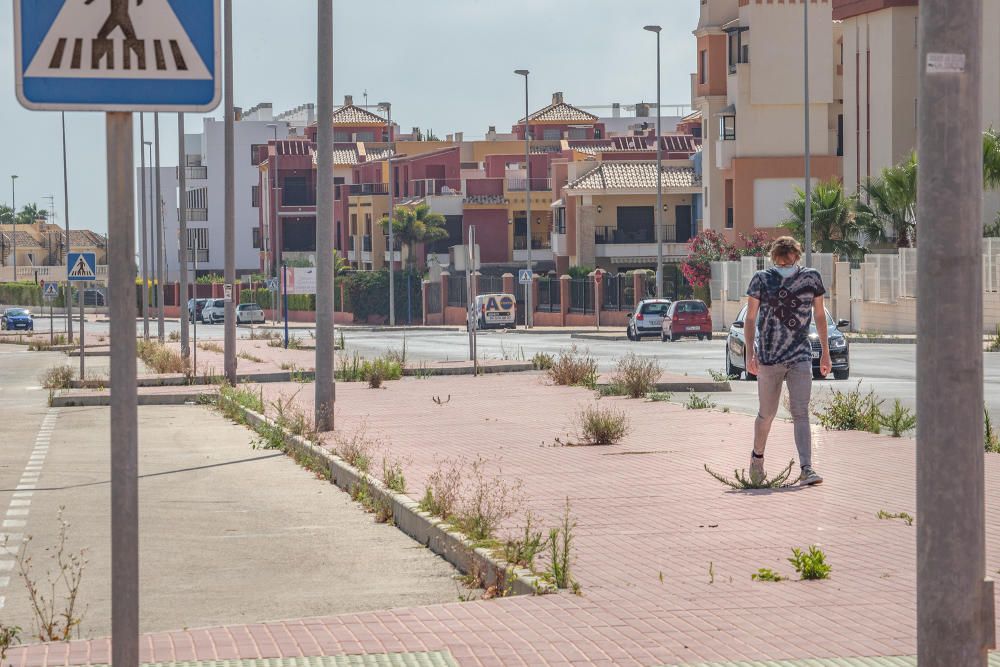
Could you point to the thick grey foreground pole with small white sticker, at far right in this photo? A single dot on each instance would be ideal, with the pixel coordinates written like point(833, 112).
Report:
point(955, 603)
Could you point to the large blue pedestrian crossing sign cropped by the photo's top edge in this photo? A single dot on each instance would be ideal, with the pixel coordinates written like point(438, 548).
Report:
point(118, 55)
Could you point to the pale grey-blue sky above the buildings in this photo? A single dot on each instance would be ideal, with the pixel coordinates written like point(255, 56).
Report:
point(444, 64)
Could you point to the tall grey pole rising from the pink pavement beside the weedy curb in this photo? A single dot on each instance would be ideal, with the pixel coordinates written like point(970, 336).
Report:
point(325, 389)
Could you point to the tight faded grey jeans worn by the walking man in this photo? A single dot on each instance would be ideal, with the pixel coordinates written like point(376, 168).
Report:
point(798, 377)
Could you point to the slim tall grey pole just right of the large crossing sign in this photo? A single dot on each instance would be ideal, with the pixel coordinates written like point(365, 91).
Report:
point(229, 347)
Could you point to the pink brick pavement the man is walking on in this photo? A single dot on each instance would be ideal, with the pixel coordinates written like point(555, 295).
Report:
point(644, 507)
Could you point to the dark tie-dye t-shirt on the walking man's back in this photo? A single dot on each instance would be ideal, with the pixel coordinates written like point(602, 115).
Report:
point(785, 314)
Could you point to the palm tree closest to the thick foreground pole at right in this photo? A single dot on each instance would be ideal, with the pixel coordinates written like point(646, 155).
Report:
point(889, 204)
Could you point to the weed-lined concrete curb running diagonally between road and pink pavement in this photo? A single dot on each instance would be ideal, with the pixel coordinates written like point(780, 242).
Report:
point(407, 516)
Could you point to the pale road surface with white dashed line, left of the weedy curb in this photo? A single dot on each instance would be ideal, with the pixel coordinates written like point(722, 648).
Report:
point(228, 534)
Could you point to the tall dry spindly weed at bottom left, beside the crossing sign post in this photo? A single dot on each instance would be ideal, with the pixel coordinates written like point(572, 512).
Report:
point(54, 601)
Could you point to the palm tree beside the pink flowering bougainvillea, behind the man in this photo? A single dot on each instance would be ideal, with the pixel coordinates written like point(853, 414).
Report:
point(834, 227)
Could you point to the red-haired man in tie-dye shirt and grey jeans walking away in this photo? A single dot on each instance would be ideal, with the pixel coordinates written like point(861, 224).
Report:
point(782, 303)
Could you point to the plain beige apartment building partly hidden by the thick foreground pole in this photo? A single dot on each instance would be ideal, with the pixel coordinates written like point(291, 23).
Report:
point(880, 54)
